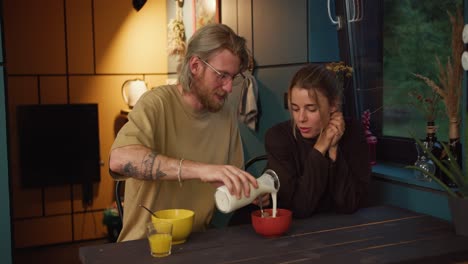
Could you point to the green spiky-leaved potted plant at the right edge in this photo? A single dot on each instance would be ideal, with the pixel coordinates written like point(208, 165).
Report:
point(457, 197)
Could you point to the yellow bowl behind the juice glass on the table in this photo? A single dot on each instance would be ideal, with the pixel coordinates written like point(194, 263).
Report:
point(181, 219)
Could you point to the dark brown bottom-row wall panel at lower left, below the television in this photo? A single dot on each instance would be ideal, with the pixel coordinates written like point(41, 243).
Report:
point(40, 231)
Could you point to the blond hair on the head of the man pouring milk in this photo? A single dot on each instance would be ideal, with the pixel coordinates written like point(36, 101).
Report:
point(206, 42)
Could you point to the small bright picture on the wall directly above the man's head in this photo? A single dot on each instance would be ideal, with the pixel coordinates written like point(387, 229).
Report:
point(205, 12)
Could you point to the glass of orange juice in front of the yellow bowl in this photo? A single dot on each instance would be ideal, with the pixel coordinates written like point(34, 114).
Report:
point(160, 238)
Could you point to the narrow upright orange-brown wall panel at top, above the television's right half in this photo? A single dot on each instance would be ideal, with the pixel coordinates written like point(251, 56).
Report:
point(80, 36)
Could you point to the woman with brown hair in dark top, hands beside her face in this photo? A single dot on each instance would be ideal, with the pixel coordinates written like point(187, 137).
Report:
point(321, 159)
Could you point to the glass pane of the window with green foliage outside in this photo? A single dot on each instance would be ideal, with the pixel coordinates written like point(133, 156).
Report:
point(415, 33)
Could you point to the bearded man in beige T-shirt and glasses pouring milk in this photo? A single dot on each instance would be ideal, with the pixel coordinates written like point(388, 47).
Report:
point(180, 141)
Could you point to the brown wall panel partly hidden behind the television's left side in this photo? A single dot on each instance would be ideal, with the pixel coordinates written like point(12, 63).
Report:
point(25, 202)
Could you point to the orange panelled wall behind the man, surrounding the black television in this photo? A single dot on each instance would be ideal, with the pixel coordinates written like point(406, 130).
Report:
point(75, 51)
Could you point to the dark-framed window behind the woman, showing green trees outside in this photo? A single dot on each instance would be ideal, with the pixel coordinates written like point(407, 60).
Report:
point(394, 39)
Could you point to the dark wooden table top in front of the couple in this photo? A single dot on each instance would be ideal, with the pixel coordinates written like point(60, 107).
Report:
point(371, 235)
